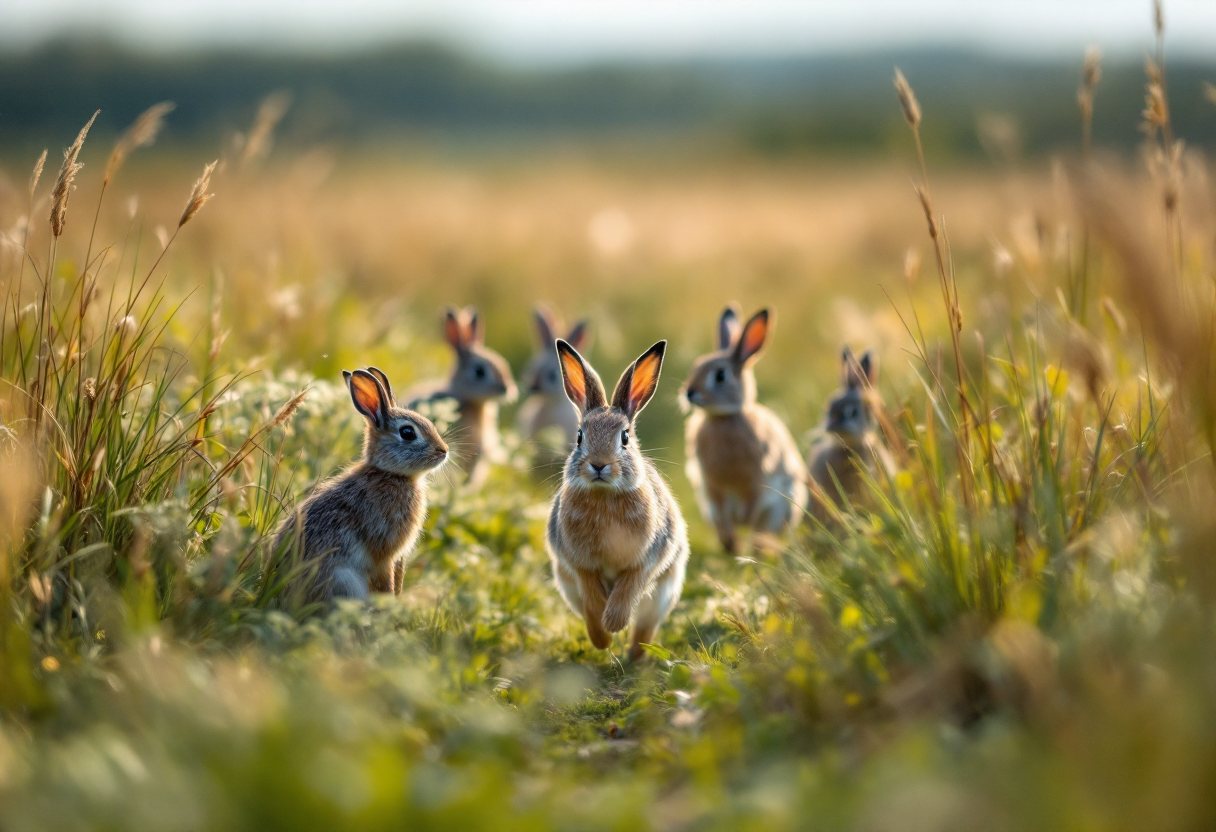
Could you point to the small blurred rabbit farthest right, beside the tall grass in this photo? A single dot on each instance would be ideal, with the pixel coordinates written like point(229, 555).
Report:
point(849, 446)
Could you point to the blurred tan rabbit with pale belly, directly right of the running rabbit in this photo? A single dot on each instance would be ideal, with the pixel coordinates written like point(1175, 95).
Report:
point(742, 460)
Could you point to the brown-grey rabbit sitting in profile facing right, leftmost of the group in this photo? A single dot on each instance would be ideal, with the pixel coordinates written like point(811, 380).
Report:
point(362, 526)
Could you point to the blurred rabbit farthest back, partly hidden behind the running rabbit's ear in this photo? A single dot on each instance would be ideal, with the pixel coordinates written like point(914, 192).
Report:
point(547, 406)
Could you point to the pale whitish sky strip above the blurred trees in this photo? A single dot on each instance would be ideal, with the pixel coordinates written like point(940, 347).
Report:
point(576, 31)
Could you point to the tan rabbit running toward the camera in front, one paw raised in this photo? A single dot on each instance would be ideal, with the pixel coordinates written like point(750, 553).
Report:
point(616, 535)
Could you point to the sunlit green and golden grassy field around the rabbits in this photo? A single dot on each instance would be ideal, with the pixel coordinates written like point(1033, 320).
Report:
point(1014, 632)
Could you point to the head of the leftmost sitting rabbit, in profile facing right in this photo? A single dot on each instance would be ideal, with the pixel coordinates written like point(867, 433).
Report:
point(397, 441)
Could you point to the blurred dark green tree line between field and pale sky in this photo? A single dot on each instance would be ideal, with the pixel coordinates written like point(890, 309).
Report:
point(838, 104)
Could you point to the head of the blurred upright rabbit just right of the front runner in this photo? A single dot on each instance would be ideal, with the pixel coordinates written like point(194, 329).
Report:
point(723, 383)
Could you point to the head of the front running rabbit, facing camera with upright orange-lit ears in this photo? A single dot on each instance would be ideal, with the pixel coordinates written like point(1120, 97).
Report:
point(606, 454)
